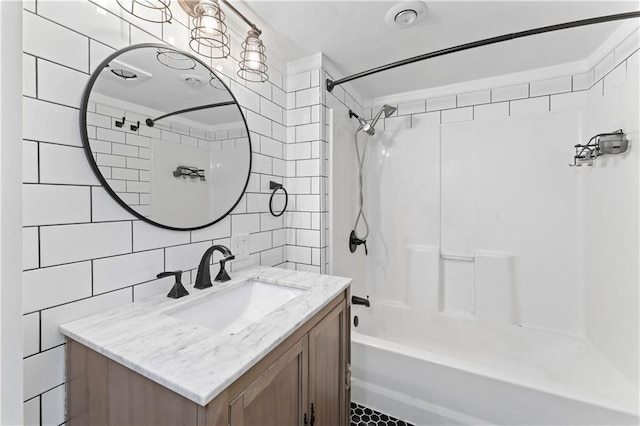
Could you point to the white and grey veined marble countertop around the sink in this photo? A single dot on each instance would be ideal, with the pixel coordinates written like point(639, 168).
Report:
point(193, 361)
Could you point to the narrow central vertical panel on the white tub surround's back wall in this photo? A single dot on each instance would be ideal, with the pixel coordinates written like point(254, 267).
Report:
point(458, 176)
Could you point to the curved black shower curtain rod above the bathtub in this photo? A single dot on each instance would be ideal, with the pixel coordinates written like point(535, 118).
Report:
point(331, 83)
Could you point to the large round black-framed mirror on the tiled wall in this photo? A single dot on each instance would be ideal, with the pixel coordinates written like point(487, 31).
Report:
point(166, 137)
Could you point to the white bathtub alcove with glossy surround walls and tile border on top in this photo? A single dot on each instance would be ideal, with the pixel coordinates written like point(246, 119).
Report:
point(493, 301)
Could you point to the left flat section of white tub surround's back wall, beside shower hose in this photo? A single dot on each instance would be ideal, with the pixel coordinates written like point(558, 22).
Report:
point(401, 175)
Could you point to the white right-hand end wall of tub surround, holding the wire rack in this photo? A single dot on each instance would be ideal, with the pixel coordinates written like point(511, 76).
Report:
point(611, 205)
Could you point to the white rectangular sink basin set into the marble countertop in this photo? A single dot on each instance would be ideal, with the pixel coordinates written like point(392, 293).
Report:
point(231, 311)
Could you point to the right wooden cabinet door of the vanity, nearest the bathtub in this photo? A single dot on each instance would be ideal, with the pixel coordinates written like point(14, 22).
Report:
point(327, 364)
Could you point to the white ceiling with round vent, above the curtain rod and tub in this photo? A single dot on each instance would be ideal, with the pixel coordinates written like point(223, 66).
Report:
point(354, 37)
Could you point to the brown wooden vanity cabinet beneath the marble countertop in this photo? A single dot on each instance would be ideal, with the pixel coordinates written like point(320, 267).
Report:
point(303, 381)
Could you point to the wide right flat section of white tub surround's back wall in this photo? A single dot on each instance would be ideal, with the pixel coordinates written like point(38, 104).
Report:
point(527, 207)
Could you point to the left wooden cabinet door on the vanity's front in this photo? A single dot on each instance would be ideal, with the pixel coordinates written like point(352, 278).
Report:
point(278, 396)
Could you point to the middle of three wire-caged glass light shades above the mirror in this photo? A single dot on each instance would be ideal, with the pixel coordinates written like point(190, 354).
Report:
point(208, 31)
